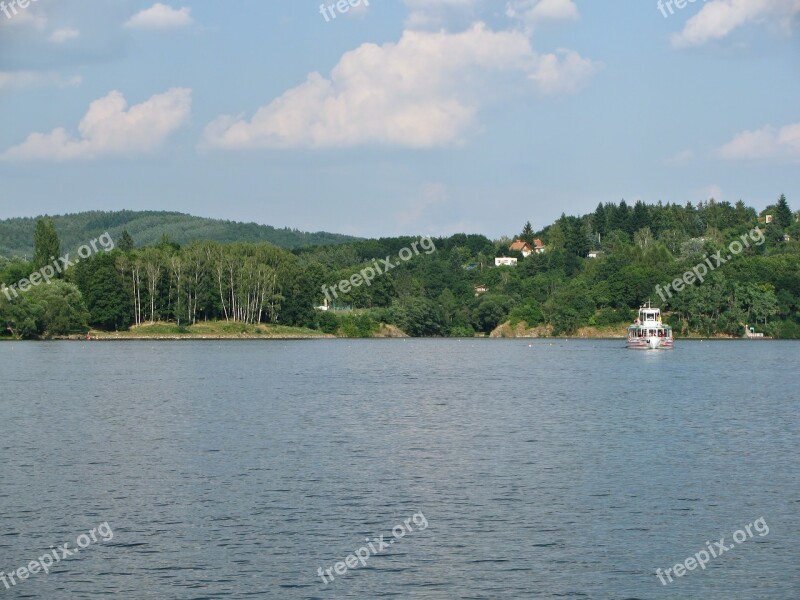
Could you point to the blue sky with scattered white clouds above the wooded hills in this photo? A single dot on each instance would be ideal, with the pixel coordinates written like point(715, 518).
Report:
point(396, 117)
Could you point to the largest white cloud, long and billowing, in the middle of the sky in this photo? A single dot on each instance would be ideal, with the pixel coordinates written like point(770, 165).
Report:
point(423, 91)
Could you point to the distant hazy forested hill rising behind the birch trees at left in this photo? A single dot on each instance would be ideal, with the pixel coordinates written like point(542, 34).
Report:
point(149, 227)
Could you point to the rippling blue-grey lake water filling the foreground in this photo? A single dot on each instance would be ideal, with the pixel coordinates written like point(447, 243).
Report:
point(543, 469)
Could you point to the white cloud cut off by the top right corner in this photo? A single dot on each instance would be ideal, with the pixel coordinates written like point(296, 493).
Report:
point(719, 18)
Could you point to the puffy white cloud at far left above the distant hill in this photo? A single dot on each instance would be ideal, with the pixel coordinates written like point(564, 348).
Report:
point(109, 129)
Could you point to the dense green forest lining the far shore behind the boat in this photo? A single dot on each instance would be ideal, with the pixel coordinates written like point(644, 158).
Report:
point(595, 271)
